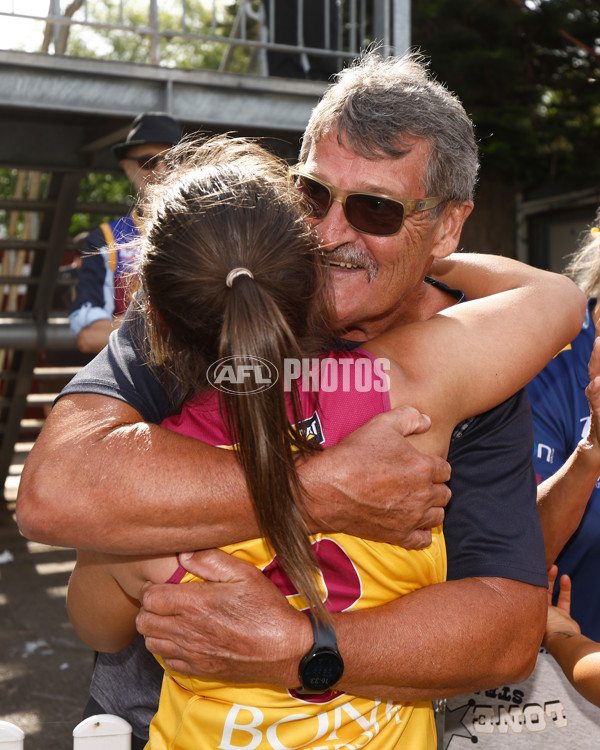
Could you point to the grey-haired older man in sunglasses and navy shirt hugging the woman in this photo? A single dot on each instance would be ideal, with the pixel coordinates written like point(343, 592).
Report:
point(384, 140)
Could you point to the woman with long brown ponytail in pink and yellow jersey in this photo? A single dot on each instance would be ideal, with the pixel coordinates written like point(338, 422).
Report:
point(233, 297)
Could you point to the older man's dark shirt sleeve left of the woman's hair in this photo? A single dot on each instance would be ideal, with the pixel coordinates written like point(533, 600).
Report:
point(120, 371)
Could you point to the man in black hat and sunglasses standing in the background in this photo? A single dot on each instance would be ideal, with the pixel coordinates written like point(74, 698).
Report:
point(101, 293)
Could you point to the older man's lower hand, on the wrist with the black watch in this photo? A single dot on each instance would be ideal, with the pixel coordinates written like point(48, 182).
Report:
point(228, 627)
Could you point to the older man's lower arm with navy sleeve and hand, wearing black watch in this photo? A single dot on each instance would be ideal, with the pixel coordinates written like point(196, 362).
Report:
point(480, 630)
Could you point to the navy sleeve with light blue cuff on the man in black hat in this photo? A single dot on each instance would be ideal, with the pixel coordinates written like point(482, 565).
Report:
point(94, 294)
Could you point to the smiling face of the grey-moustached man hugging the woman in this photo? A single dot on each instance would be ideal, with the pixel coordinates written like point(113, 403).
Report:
point(370, 295)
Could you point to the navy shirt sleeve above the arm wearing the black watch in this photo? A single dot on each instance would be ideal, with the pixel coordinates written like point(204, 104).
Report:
point(492, 527)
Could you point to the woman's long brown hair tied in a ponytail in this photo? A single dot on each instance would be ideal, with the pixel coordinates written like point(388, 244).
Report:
point(229, 204)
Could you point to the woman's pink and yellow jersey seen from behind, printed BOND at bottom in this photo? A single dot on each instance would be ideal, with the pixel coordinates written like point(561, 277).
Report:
point(350, 388)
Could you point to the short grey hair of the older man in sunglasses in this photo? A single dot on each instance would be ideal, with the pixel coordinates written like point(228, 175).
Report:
point(376, 101)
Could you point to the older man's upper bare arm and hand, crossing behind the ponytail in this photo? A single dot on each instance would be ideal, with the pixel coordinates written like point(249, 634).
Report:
point(147, 490)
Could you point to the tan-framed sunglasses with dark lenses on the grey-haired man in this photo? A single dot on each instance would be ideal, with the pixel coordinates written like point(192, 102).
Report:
point(370, 213)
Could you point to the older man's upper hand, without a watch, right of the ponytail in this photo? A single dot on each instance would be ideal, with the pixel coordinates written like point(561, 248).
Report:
point(381, 487)
